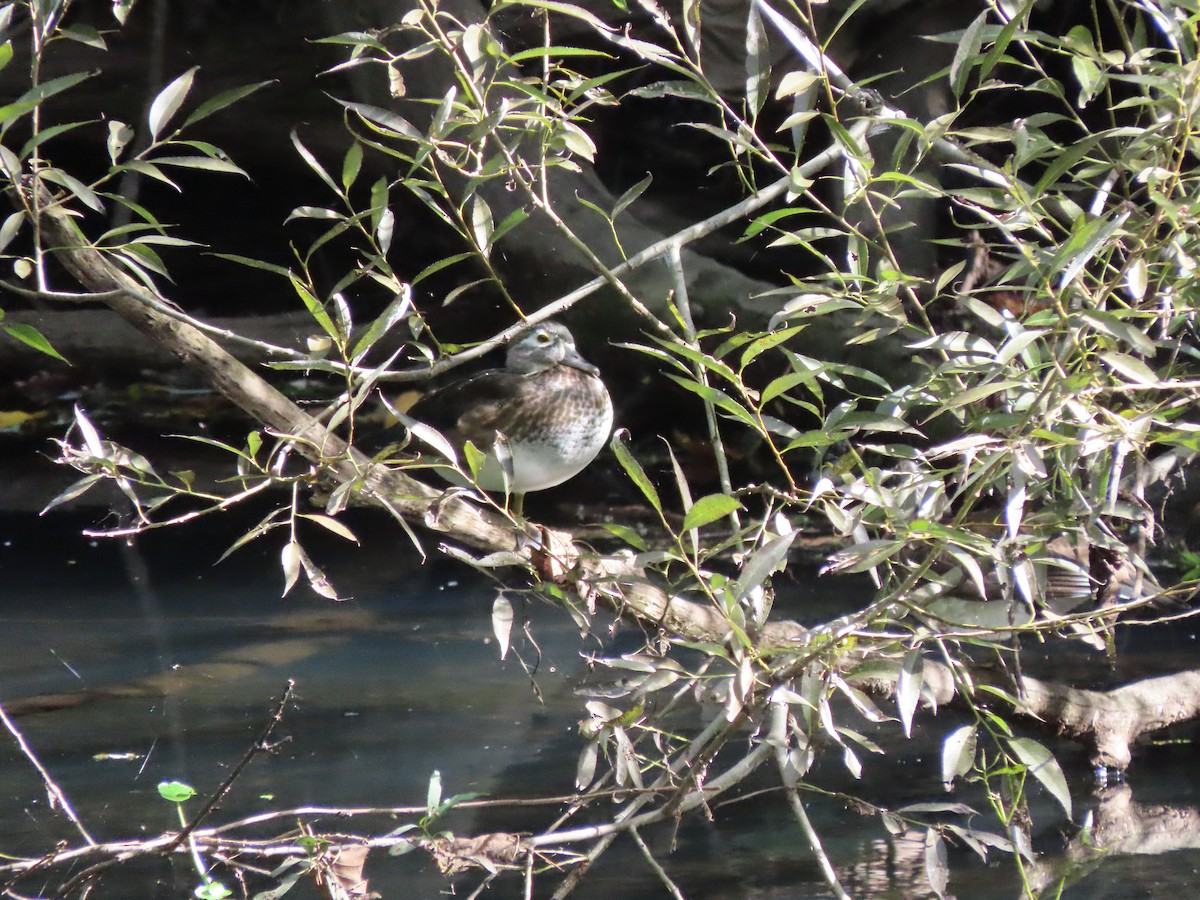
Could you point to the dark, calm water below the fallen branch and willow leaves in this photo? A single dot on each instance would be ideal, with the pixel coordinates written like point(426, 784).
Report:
point(152, 651)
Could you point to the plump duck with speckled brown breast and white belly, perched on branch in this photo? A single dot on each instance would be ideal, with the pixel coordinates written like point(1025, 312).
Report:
point(538, 422)
